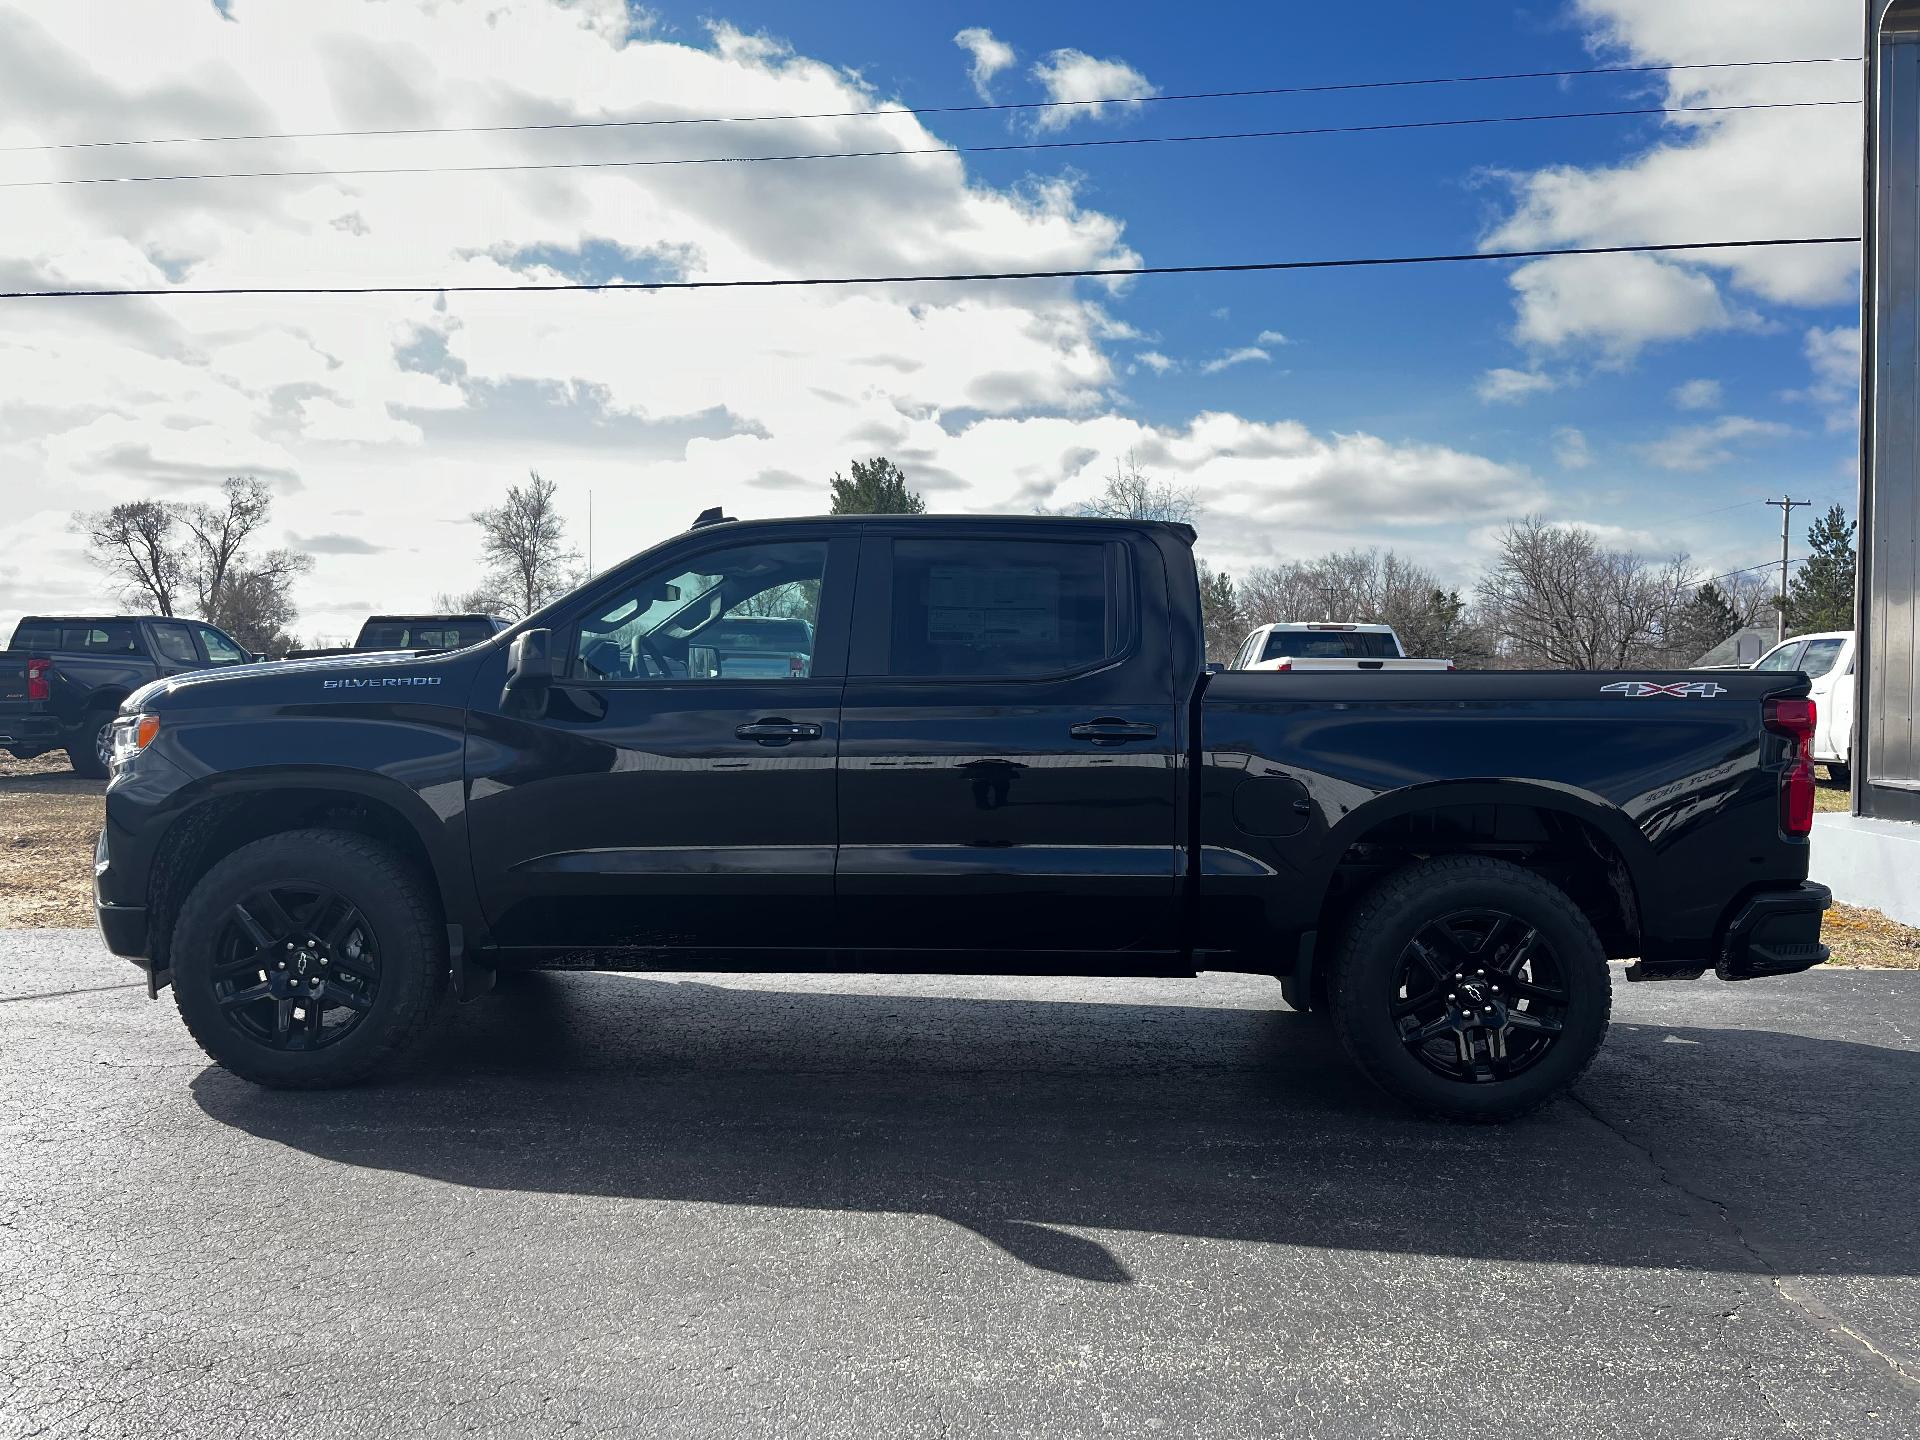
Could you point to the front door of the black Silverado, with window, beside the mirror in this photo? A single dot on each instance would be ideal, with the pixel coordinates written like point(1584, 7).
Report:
point(673, 796)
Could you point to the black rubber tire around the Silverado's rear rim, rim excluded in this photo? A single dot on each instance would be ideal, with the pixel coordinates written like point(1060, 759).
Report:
point(1381, 928)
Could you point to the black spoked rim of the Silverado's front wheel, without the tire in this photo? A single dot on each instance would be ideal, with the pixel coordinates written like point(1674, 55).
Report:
point(297, 967)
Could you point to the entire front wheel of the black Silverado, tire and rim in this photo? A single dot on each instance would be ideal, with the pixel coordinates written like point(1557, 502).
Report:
point(310, 959)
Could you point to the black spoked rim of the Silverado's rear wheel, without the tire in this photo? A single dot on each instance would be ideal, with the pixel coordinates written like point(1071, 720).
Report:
point(1479, 997)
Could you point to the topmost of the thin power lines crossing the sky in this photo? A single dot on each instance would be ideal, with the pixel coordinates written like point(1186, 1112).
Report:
point(934, 110)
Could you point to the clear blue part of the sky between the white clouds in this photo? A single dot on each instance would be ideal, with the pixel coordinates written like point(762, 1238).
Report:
point(1376, 350)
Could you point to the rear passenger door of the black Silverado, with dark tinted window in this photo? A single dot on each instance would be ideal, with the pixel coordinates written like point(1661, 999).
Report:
point(1009, 752)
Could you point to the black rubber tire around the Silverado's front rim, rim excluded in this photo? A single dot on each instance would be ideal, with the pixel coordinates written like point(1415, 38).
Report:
point(396, 901)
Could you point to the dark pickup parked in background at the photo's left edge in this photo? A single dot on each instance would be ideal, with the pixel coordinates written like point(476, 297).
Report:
point(62, 679)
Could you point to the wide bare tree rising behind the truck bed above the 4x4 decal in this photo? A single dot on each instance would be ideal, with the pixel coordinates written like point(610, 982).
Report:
point(1556, 598)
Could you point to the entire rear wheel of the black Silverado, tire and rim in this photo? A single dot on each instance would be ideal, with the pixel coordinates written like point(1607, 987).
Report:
point(1472, 990)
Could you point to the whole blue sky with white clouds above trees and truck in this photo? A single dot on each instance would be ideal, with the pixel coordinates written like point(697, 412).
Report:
point(1656, 400)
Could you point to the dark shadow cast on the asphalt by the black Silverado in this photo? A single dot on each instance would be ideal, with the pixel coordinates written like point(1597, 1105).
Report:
point(1032, 1122)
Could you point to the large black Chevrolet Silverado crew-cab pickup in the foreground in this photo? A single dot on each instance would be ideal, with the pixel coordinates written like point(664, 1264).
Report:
point(997, 754)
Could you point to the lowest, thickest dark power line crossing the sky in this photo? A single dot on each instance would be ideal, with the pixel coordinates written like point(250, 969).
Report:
point(798, 283)
